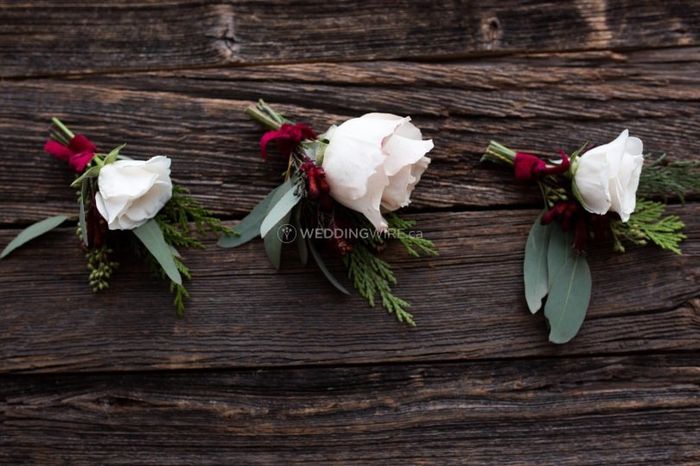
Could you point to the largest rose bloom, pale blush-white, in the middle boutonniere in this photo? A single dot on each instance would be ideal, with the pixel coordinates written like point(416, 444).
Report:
point(372, 164)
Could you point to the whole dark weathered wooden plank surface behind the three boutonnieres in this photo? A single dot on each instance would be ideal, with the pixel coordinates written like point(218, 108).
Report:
point(274, 367)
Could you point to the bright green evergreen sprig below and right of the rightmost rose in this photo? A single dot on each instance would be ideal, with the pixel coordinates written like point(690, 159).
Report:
point(647, 225)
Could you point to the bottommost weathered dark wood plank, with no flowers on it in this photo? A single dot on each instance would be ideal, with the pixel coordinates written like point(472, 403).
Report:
point(630, 410)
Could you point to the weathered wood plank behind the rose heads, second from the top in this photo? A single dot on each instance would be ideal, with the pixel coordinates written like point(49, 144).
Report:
point(196, 117)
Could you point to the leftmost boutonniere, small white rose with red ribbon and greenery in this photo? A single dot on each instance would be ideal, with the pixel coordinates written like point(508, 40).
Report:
point(126, 204)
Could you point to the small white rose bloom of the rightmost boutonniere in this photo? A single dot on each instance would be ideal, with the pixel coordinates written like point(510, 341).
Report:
point(606, 177)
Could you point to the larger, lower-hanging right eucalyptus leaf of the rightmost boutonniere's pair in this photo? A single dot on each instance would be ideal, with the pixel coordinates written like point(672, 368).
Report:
point(569, 288)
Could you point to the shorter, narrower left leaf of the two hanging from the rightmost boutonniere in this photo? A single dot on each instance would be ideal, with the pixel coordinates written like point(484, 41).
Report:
point(535, 265)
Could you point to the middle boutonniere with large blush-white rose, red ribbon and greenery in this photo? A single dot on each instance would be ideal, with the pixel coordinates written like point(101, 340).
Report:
point(339, 196)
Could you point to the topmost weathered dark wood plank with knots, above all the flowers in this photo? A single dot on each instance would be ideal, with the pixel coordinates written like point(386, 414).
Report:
point(48, 37)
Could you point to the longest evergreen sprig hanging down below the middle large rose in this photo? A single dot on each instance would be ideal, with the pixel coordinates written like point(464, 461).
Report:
point(371, 276)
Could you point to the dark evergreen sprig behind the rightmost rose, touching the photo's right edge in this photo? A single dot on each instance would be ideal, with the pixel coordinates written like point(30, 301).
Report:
point(667, 179)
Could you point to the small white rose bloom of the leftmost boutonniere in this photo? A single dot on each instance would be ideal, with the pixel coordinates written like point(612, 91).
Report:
point(131, 192)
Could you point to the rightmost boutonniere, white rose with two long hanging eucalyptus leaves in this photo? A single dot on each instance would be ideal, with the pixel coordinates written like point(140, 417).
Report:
point(591, 195)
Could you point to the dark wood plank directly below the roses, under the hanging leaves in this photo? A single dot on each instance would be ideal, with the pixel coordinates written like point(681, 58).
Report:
point(468, 303)
